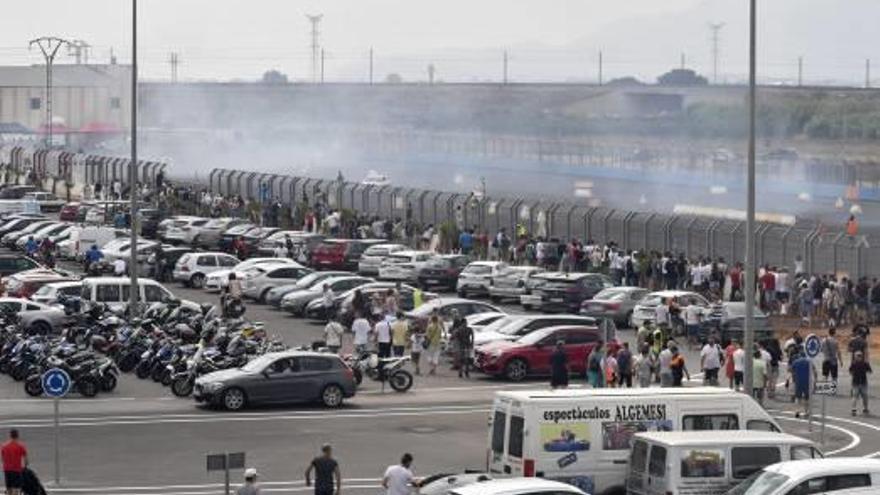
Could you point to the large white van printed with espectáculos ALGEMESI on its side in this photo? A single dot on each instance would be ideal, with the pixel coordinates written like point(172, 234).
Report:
point(584, 436)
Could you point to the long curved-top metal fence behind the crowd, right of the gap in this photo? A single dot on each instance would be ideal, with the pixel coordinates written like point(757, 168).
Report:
point(777, 245)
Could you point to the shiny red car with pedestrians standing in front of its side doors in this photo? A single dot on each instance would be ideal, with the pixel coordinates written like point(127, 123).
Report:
point(530, 354)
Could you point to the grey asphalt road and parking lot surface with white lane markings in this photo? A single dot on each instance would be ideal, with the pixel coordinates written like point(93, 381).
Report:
point(141, 440)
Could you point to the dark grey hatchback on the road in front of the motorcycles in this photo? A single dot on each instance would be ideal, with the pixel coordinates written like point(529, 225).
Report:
point(279, 377)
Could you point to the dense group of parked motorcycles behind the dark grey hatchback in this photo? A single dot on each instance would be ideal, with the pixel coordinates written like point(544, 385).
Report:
point(171, 343)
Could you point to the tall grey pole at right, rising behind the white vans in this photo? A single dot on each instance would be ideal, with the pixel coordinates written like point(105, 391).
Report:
point(749, 323)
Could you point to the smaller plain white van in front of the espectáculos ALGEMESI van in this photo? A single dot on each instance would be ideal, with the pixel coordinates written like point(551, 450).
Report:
point(688, 462)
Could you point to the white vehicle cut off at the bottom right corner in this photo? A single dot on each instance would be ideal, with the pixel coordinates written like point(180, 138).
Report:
point(836, 476)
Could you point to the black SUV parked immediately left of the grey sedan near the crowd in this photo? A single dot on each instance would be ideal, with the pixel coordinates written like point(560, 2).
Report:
point(564, 292)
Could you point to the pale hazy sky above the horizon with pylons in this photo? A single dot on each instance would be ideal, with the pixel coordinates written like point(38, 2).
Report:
point(556, 40)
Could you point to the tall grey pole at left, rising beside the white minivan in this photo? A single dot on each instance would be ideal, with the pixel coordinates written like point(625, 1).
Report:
point(132, 170)
